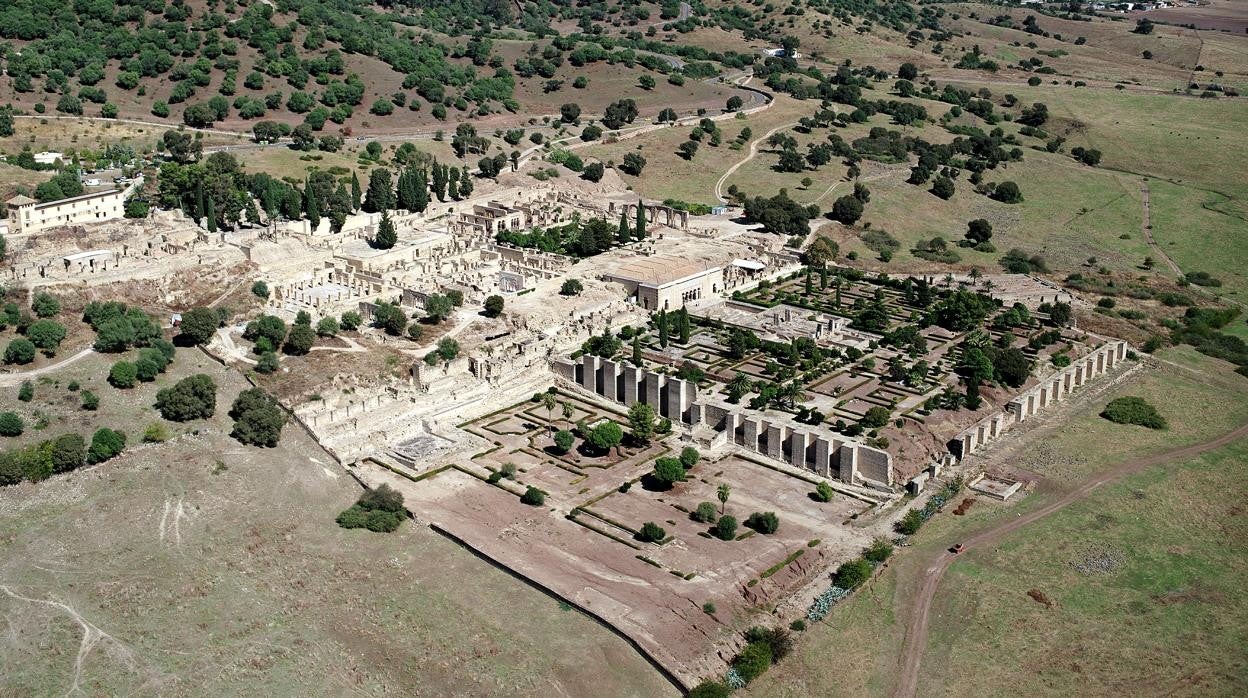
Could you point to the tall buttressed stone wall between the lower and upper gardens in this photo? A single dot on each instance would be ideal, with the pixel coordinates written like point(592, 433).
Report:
point(804, 446)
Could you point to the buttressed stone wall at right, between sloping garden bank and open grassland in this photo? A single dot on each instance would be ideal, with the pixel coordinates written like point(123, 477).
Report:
point(1050, 391)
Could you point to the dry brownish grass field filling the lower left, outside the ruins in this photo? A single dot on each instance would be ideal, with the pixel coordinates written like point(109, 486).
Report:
point(202, 566)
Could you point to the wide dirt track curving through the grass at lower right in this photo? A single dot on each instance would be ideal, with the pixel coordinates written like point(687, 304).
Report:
point(917, 626)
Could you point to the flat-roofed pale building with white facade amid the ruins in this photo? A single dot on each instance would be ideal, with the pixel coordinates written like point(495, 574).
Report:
point(667, 283)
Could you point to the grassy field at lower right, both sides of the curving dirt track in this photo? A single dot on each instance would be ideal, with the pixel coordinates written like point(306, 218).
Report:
point(982, 619)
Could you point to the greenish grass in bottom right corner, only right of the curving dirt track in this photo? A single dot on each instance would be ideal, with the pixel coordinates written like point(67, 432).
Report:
point(1168, 616)
